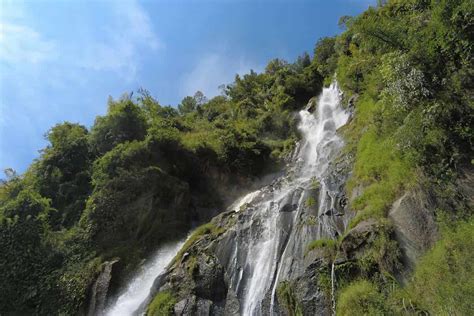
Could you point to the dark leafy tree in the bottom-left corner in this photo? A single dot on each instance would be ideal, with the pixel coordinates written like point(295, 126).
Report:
point(26, 260)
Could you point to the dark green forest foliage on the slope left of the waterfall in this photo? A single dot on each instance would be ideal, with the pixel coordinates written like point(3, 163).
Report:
point(143, 173)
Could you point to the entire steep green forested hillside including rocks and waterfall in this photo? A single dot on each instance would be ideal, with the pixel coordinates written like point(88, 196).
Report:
point(382, 225)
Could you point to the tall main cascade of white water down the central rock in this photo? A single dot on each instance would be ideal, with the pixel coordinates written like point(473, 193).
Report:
point(271, 237)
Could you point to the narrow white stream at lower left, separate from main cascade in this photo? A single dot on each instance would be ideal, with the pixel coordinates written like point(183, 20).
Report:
point(129, 301)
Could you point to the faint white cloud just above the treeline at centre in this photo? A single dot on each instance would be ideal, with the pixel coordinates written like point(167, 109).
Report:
point(213, 70)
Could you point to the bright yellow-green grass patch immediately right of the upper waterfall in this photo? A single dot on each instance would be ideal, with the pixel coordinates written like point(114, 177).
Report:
point(379, 166)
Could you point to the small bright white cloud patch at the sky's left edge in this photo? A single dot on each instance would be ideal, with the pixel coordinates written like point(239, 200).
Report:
point(21, 44)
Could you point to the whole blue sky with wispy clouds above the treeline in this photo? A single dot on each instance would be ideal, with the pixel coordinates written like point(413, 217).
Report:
point(60, 60)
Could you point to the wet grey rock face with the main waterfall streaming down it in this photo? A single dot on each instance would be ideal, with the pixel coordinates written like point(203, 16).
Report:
point(236, 267)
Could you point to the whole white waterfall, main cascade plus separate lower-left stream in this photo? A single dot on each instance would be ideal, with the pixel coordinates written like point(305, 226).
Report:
point(272, 226)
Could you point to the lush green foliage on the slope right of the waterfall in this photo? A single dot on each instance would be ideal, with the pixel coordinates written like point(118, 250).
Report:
point(409, 65)
